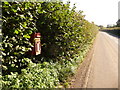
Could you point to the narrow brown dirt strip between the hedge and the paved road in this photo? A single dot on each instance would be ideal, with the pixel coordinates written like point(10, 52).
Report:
point(80, 79)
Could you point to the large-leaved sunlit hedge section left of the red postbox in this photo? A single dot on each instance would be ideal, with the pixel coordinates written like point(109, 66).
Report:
point(18, 24)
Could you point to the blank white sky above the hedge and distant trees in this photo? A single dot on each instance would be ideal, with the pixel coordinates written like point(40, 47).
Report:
point(101, 12)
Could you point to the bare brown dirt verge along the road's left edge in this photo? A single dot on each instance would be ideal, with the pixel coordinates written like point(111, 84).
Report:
point(79, 79)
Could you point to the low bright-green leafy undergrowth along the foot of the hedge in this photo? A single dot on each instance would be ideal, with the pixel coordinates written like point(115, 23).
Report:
point(45, 75)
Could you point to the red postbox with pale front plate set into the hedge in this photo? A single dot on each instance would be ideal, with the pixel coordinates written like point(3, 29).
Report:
point(35, 40)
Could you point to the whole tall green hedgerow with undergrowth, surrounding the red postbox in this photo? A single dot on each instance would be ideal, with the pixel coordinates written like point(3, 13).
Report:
point(66, 36)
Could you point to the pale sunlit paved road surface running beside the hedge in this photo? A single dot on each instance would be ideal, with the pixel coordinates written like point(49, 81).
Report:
point(104, 65)
